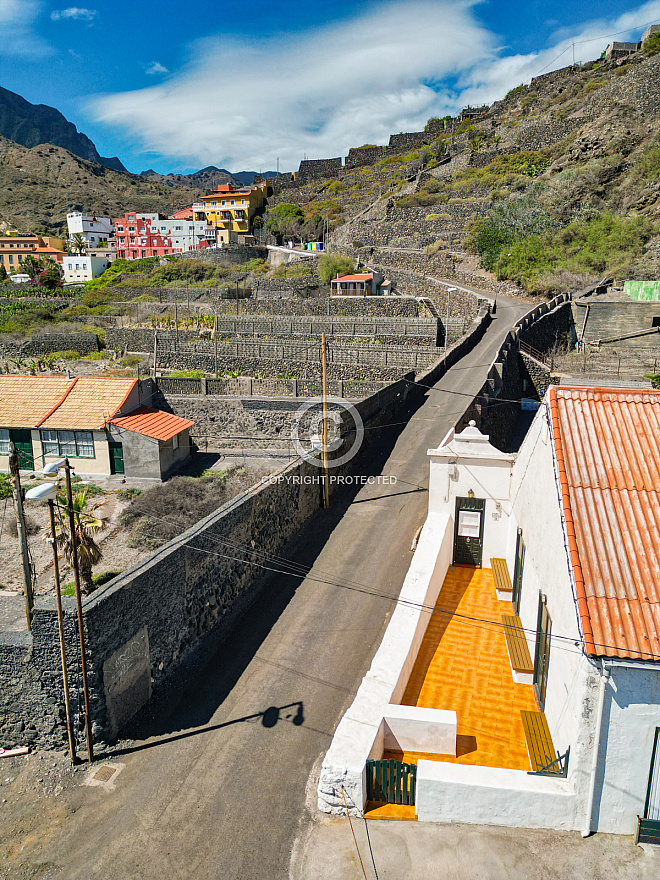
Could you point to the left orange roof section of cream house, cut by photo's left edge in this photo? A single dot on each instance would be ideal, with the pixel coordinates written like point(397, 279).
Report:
point(26, 400)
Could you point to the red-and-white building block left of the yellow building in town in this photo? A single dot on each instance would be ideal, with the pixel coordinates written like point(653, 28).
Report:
point(154, 235)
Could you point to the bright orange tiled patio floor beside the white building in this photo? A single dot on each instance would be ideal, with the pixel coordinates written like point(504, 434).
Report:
point(463, 665)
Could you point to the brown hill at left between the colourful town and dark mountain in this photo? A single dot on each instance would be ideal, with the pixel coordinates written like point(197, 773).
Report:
point(39, 186)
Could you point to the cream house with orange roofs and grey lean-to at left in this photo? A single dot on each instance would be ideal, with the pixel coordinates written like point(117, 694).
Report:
point(104, 426)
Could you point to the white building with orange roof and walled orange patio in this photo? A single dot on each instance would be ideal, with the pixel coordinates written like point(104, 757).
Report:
point(517, 681)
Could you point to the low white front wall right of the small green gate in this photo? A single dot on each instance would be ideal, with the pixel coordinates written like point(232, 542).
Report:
point(491, 796)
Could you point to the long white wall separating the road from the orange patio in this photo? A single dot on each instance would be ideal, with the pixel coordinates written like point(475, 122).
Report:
point(361, 732)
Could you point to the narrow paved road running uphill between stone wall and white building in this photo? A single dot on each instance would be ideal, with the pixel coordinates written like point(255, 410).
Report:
point(218, 788)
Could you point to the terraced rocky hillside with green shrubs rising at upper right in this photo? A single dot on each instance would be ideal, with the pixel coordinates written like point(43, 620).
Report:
point(557, 183)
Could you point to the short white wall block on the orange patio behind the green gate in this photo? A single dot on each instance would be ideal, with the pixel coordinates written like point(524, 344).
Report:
point(416, 729)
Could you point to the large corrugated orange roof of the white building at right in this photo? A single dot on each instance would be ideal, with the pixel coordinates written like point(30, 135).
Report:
point(607, 446)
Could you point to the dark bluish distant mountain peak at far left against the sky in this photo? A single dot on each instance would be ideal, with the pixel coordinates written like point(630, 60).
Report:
point(33, 124)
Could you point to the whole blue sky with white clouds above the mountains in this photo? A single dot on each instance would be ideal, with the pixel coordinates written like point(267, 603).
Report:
point(175, 86)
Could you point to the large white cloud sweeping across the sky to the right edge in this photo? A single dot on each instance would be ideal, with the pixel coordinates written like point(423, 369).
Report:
point(243, 103)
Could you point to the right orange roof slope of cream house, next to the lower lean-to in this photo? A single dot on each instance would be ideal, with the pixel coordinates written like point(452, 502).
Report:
point(90, 403)
